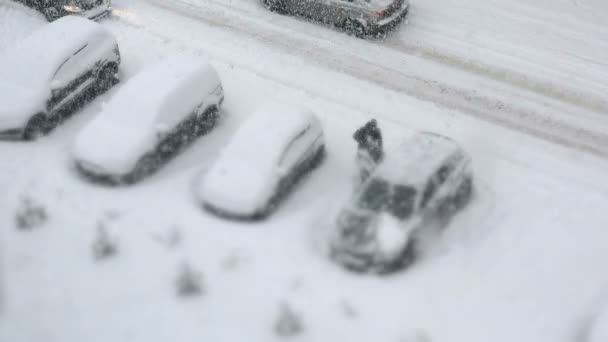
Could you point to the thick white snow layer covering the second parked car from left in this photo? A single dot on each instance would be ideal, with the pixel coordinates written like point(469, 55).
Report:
point(151, 103)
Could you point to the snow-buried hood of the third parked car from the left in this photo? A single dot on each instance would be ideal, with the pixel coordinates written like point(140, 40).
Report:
point(238, 188)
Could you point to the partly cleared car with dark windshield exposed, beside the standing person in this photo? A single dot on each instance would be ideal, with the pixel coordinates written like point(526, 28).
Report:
point(427, 177)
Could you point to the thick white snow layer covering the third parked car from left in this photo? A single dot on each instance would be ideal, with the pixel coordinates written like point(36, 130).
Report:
point(246, 174)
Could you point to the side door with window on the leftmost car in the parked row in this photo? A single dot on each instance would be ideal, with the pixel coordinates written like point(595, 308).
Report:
point(73, 76)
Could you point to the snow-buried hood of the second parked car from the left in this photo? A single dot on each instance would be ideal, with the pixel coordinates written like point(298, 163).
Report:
point(105, 147)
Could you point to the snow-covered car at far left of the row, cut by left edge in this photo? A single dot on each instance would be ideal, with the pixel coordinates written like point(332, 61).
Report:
point(52, 73)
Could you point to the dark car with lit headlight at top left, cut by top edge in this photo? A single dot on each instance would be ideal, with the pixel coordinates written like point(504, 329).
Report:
point(55, 9)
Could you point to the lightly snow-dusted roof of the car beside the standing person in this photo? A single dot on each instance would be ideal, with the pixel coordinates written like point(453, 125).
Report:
point(414, 160)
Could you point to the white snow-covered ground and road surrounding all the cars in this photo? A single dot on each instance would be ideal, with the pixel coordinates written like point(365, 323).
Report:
point(522, 263)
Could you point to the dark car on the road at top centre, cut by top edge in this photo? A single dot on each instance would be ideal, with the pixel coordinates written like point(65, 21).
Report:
point(360, 17)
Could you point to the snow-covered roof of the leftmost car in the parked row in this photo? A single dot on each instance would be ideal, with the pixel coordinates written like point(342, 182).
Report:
point(34, 60)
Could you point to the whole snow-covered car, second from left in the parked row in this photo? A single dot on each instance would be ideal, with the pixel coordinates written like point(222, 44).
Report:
point(153, 117)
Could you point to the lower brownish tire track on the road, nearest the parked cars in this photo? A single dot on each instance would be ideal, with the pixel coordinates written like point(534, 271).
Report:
point(493, 109)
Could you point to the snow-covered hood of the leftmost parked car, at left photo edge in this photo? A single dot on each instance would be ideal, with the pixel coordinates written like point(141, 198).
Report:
point(18, 104)
